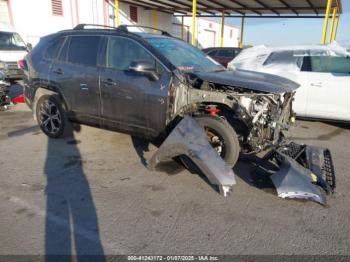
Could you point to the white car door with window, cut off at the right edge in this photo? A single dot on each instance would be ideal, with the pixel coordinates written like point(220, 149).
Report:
point(328, 87)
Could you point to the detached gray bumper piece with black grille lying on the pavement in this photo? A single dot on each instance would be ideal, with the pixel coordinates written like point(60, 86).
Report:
point(305, 172)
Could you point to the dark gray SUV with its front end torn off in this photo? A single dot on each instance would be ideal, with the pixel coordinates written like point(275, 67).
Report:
point(144, 84)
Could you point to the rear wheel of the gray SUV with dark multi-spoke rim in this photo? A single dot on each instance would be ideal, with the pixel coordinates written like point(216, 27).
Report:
point(52, 118)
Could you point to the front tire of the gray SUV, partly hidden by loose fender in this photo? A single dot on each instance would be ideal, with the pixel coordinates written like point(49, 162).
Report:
point(221, 129)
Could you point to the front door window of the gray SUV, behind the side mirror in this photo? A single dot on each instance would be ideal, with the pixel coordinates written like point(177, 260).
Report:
point(122, 51)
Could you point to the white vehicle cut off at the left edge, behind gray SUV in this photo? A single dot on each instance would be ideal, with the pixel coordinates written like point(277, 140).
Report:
point(12, 49)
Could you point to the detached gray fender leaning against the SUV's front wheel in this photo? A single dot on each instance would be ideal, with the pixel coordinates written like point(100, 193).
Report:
point(189, 139)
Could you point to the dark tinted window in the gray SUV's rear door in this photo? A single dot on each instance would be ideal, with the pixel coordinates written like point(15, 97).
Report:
point(83, 50)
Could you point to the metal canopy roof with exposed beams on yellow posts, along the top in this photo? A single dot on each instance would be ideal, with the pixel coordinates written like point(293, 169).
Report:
point(297, 8)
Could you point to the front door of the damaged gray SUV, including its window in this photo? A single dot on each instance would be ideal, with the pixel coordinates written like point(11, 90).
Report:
point(132, 102)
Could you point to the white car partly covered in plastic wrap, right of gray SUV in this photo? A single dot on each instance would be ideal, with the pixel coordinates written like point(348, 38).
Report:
point(322, 71)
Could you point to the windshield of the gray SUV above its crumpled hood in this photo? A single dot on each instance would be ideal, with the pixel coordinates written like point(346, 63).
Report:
point(184, 56)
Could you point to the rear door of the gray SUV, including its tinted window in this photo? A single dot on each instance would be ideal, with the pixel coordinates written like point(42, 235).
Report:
point(76, 74)
